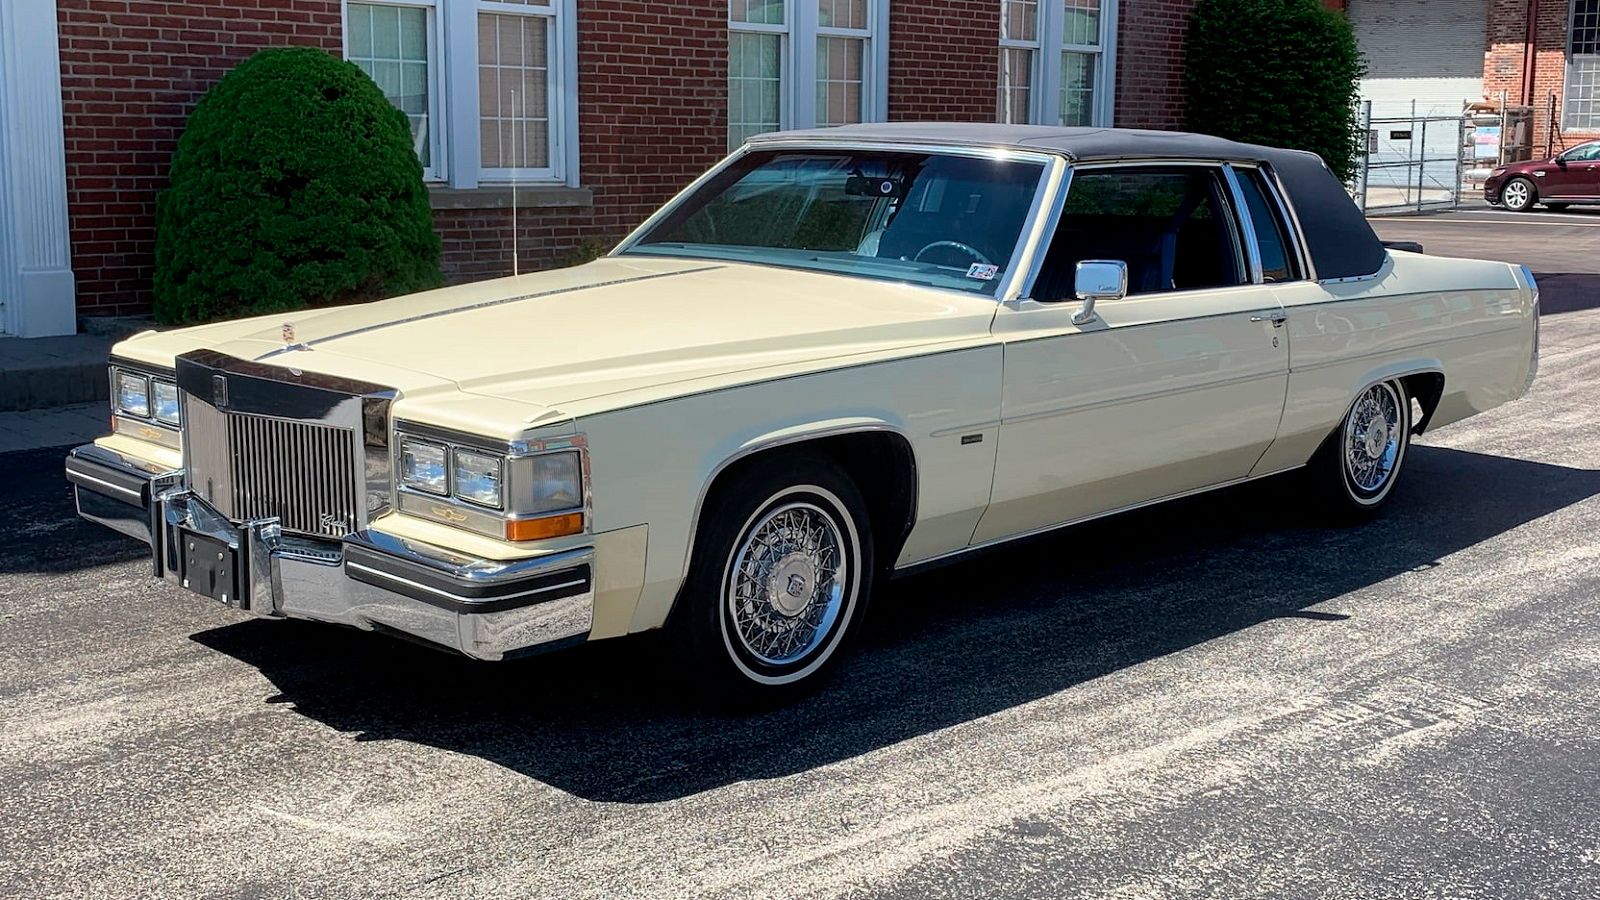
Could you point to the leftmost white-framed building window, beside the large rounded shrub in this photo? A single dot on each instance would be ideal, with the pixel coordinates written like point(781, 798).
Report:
point(510, 66)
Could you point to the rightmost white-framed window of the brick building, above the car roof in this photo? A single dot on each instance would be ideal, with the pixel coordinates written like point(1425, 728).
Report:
point(1057, 60)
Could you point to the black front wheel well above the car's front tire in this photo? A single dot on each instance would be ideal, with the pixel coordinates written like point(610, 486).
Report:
point(882, 467)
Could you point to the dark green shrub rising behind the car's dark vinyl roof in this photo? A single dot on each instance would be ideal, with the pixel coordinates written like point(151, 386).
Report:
point(1278, 73)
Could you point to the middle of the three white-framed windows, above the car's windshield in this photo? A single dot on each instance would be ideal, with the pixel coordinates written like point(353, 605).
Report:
point(804, 63)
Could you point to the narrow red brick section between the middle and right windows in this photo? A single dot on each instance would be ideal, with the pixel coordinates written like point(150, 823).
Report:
point(945, 60)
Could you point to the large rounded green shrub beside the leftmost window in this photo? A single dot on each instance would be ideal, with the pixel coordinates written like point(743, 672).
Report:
point(295, 185)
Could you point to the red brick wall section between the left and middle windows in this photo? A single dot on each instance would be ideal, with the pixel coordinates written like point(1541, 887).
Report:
point(652, 118)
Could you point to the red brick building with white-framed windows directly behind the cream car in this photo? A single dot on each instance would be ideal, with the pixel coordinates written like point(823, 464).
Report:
point(598, 110)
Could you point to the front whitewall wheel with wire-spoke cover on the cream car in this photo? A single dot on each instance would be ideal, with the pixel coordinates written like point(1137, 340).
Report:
point(780, 579)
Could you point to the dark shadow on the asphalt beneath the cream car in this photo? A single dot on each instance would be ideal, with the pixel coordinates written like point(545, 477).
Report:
point(943, 648)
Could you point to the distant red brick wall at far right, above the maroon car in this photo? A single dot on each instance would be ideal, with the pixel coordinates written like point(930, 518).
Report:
point(1506, 66)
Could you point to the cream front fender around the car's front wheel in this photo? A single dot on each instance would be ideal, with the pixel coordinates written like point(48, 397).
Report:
point(652, 464)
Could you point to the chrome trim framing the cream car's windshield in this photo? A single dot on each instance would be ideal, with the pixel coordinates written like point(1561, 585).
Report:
point(1050, 161)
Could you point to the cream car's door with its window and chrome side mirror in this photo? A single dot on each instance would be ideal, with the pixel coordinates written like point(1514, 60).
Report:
point(1174, 388)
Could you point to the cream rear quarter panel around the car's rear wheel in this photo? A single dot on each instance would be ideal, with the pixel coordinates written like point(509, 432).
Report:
point(1470, 319)
